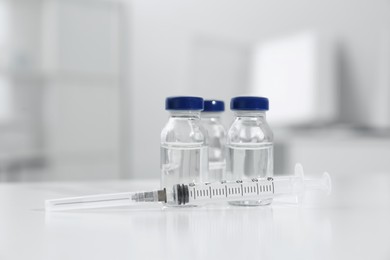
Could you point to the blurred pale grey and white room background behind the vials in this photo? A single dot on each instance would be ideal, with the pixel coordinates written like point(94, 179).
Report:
point(83, 82)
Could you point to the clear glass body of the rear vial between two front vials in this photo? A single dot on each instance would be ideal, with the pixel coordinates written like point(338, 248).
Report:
point(211, 122)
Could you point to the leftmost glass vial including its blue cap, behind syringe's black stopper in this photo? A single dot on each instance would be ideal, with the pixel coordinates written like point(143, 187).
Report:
point(184, 151)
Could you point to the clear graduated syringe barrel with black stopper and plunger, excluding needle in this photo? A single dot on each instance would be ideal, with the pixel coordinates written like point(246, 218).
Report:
point(255, 189)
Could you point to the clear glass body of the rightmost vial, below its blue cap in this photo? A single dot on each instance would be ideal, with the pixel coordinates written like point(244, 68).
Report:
point(250, 150)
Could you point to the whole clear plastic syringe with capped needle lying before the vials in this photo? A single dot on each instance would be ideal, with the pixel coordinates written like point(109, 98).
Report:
point(202, 193)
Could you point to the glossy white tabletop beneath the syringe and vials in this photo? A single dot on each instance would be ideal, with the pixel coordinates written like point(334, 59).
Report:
point(350, 224)
